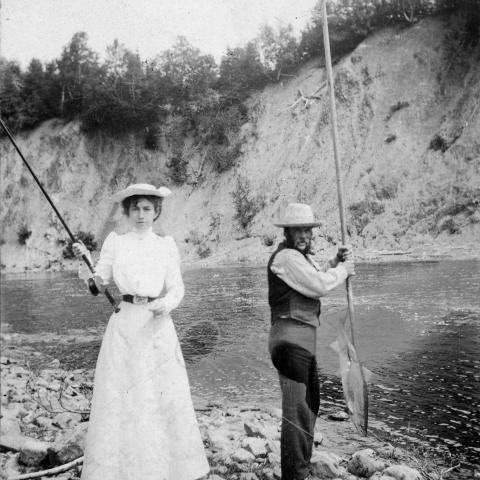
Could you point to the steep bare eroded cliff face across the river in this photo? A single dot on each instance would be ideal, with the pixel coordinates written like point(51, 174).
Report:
point(408, 106)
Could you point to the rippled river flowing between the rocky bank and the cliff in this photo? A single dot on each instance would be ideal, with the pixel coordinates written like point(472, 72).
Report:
point(417, 329)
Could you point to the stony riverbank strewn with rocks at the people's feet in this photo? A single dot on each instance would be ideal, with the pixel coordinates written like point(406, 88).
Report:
point(44, 418)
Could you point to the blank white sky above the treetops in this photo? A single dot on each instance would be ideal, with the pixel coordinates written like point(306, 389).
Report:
point(40, 28)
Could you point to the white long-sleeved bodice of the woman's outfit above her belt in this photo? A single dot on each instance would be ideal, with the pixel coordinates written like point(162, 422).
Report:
point(142, 264)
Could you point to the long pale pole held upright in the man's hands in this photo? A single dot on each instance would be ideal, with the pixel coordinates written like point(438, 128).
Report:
point(341, 207)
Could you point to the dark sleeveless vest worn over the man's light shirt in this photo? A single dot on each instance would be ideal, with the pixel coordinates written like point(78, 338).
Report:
point(285, 302)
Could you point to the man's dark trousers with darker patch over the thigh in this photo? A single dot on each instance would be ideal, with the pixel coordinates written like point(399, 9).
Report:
point(298, 373)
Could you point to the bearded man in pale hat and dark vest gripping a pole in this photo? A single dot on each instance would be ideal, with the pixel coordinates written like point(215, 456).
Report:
point(295, 285)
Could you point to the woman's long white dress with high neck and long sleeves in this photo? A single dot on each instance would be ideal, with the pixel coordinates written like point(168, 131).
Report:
point(142, 421)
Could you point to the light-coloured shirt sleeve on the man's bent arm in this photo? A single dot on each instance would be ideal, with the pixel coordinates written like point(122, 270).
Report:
point(301, 275)
